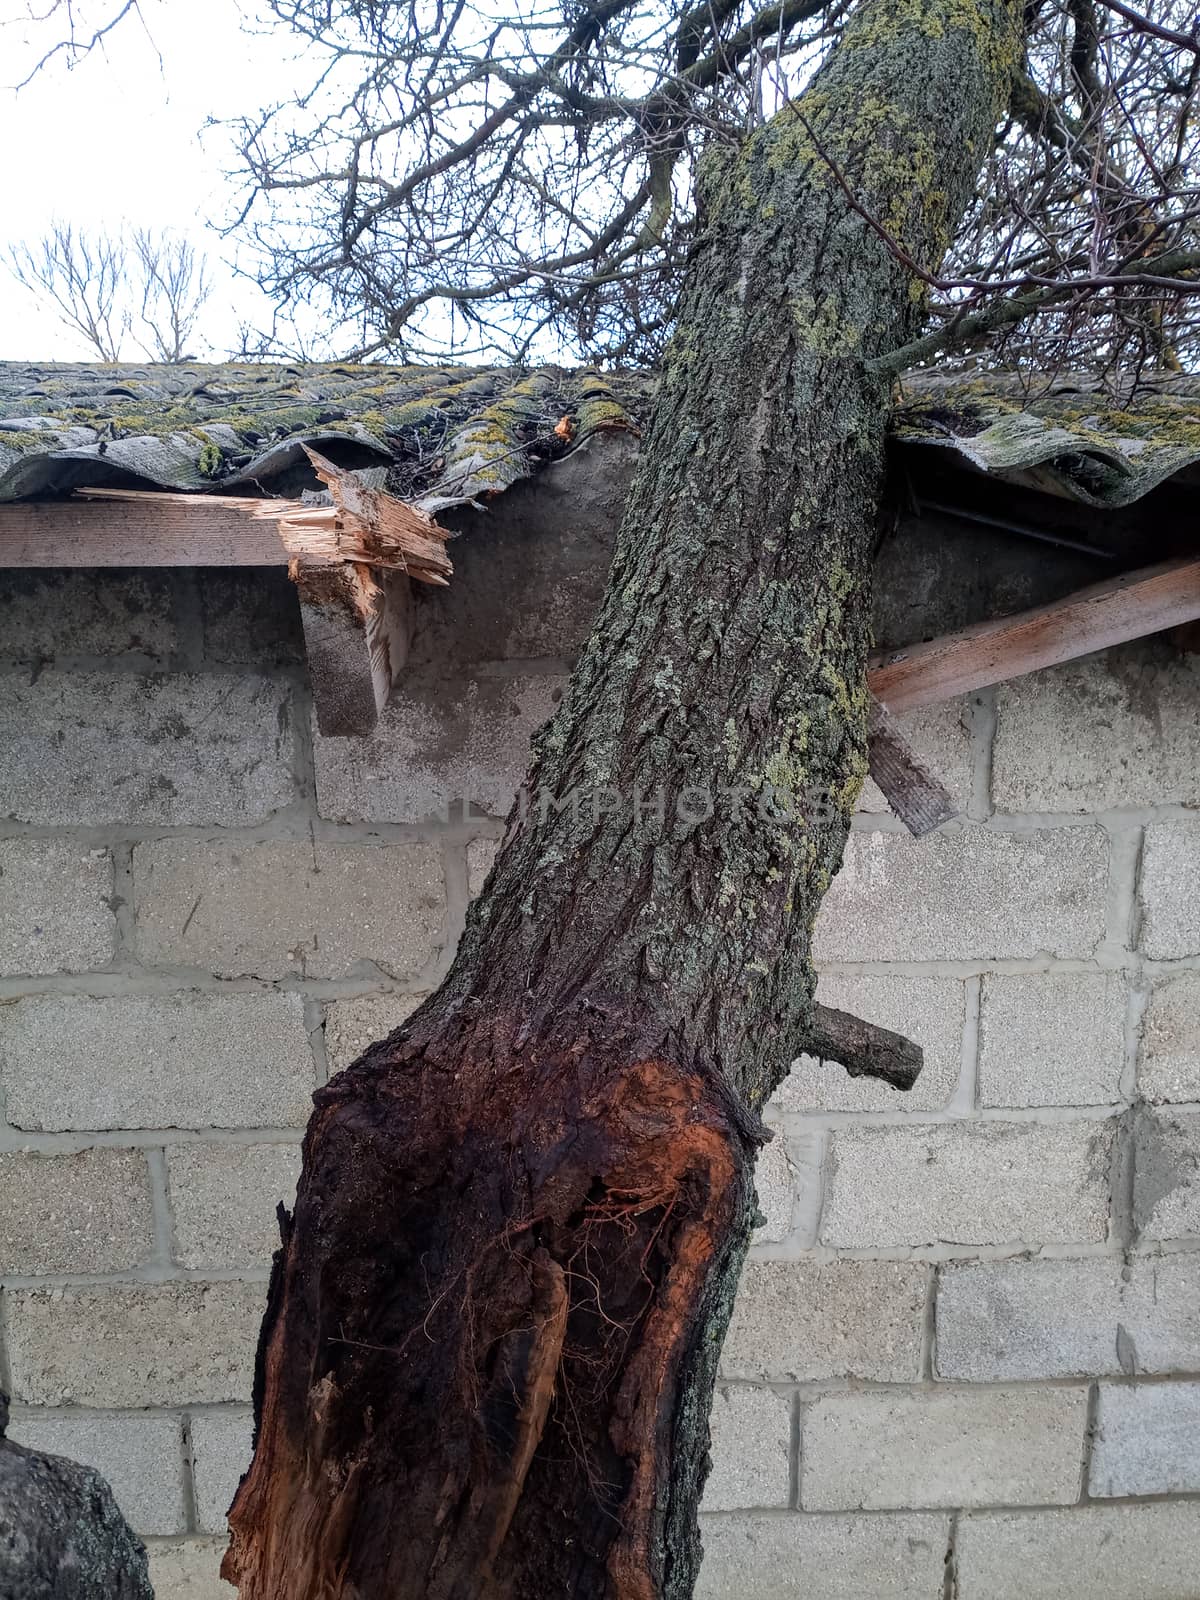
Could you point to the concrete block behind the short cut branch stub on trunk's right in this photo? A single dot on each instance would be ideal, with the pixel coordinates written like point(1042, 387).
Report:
point(927, 1010)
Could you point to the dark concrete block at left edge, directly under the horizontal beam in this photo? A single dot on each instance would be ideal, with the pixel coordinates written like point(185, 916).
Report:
point(78, 612)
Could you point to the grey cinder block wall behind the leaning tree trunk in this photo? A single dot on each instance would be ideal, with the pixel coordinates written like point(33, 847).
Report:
point(967, 1353)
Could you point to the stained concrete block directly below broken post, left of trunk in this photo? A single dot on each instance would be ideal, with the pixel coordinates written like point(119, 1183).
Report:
point(439, 743)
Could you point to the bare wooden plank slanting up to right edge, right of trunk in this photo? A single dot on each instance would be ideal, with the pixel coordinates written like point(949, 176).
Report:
point(1150, 601)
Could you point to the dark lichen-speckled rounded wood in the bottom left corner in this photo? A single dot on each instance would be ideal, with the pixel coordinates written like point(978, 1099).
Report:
point(62, 1537)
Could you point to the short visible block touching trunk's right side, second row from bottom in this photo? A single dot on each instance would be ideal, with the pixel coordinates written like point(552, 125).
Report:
point(751, 1450)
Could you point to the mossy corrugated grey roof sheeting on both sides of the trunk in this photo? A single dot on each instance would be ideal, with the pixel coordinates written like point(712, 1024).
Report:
point(454, 434)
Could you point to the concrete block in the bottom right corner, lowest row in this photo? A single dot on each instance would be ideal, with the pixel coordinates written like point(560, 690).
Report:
point(1095, 1553)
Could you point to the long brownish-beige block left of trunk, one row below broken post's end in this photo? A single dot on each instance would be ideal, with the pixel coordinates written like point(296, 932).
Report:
point(281, 910)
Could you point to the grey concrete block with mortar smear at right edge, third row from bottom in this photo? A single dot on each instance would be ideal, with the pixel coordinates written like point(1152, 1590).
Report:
point(1065, 1319)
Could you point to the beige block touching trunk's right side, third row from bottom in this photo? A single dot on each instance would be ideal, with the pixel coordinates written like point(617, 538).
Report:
point(798, 1321)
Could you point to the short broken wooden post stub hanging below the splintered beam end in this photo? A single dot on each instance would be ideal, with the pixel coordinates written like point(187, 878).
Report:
point(356, 633)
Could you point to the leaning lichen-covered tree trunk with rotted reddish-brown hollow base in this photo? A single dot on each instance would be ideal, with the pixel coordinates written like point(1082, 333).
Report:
point(495, 1322)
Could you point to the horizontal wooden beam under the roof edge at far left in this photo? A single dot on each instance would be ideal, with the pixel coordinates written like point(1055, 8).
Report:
point(143, 530)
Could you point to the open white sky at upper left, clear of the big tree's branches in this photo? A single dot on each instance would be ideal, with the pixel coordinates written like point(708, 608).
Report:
point(118, 138)
